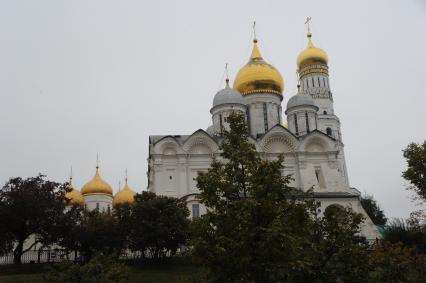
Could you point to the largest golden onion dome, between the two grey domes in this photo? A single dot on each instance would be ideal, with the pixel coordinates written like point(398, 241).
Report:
point(258, 76)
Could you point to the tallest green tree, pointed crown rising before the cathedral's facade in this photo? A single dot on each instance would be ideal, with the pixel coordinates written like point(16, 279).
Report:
point(256, 224)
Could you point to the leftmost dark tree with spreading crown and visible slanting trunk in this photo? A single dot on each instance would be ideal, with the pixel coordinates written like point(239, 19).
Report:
point(32, 207)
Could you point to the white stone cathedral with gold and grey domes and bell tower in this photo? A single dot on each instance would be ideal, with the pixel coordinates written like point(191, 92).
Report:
point(310, 140)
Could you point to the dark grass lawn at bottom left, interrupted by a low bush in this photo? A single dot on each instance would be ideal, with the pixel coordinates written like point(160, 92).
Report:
point(173, 271)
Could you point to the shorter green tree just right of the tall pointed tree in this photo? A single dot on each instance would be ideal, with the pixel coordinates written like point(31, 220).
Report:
point(334, 248)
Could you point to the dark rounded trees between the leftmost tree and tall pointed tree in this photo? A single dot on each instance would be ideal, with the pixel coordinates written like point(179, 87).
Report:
point(153, 225)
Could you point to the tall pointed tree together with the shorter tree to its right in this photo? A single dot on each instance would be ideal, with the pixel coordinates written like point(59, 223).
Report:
point(259, 229)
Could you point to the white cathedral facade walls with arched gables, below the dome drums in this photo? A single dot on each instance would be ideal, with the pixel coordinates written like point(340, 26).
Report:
point(314, 161)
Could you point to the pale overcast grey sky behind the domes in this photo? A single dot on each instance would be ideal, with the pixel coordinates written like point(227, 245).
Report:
point(81, 77)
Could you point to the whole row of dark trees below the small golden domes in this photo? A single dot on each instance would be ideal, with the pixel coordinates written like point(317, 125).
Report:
point(35, 210)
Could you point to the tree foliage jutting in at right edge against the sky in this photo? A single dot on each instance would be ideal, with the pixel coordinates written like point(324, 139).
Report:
point(415, 155)
